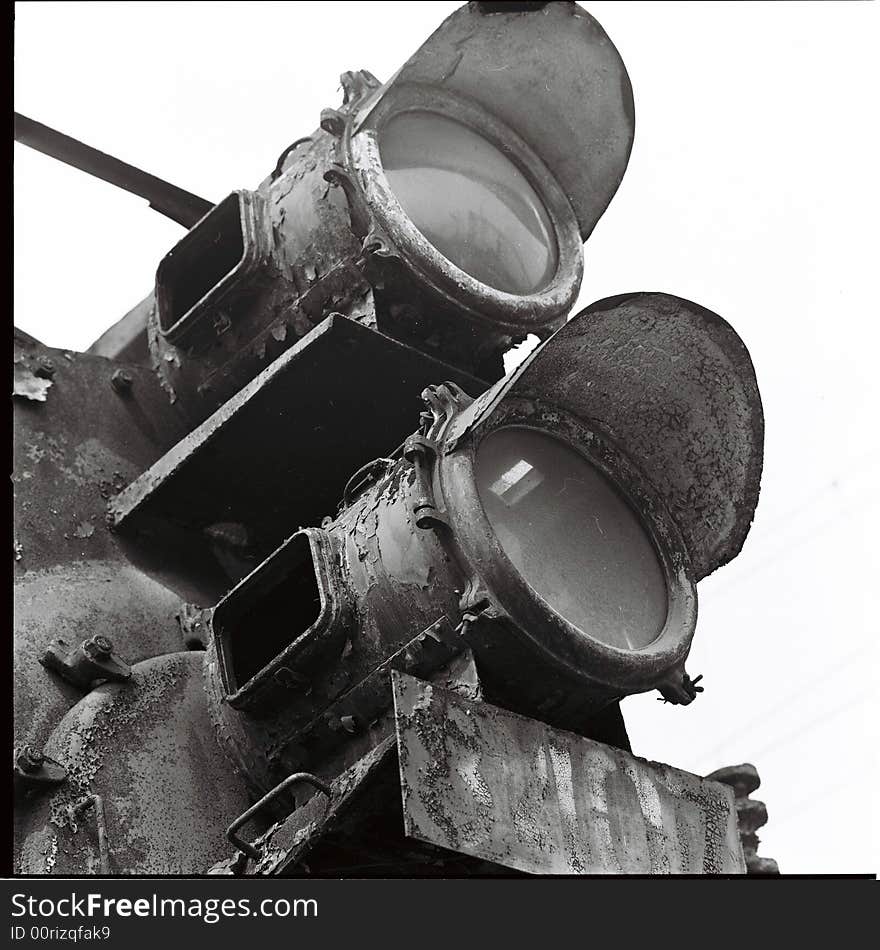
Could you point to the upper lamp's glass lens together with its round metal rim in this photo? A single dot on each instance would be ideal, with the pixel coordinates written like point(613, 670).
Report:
point(479, 221)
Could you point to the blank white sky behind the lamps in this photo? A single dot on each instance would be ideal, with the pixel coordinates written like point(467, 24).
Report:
point(751, 190)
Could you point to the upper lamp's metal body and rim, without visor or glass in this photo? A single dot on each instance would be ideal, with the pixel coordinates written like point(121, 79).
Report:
point(329, 232)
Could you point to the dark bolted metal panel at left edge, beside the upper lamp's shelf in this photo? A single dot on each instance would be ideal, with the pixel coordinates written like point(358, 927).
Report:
point(77, 447)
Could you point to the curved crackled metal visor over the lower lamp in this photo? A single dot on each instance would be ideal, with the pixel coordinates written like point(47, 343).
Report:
point(672, 384)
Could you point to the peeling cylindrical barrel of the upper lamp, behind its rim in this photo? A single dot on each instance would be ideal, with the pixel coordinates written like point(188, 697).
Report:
point(302, 267)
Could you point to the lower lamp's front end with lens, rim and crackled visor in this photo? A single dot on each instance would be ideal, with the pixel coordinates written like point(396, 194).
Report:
point(590, 490)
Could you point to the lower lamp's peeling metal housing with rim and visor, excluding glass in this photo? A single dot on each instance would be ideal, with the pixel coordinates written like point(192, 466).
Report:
point(411, 571)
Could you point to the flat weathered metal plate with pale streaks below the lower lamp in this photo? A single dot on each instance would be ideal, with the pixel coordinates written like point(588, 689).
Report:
point(489, 783)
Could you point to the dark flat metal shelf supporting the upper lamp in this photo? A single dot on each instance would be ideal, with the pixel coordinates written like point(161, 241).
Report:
point(273, 459)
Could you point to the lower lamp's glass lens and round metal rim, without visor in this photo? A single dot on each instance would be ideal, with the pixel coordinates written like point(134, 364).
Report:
point(580, 584)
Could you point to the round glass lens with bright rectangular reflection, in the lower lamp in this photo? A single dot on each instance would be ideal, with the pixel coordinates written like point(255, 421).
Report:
point(572, 537)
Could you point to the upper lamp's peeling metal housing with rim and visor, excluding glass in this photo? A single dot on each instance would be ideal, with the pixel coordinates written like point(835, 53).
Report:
point(325, 232)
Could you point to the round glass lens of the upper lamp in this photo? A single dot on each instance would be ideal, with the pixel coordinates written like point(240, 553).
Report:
point(470, 201)
